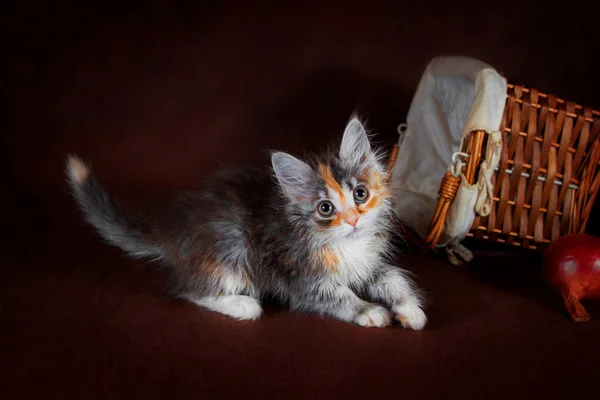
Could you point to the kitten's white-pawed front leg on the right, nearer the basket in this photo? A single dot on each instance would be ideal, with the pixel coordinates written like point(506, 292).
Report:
point(392, 287)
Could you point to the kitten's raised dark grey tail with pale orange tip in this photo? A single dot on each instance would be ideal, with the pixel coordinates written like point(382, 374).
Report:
point(113, 224)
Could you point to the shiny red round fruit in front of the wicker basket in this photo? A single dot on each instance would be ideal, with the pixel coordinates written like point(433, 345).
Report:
point(571, 266)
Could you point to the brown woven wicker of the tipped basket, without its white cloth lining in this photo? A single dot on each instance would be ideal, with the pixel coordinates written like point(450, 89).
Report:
point(548, 174)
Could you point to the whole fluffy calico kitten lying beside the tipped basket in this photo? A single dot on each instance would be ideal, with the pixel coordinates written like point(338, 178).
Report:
point(315, 235)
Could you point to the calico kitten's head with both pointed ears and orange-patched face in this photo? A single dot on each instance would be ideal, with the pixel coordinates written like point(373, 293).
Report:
point(344, 196)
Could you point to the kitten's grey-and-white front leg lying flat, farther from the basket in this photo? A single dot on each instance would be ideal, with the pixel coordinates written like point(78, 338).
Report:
point(339, 302)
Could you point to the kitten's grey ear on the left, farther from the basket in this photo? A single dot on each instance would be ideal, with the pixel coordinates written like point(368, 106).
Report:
point(295, 177)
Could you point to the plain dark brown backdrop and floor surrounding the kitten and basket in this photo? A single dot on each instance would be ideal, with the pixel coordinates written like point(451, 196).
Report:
point(155, 96)
